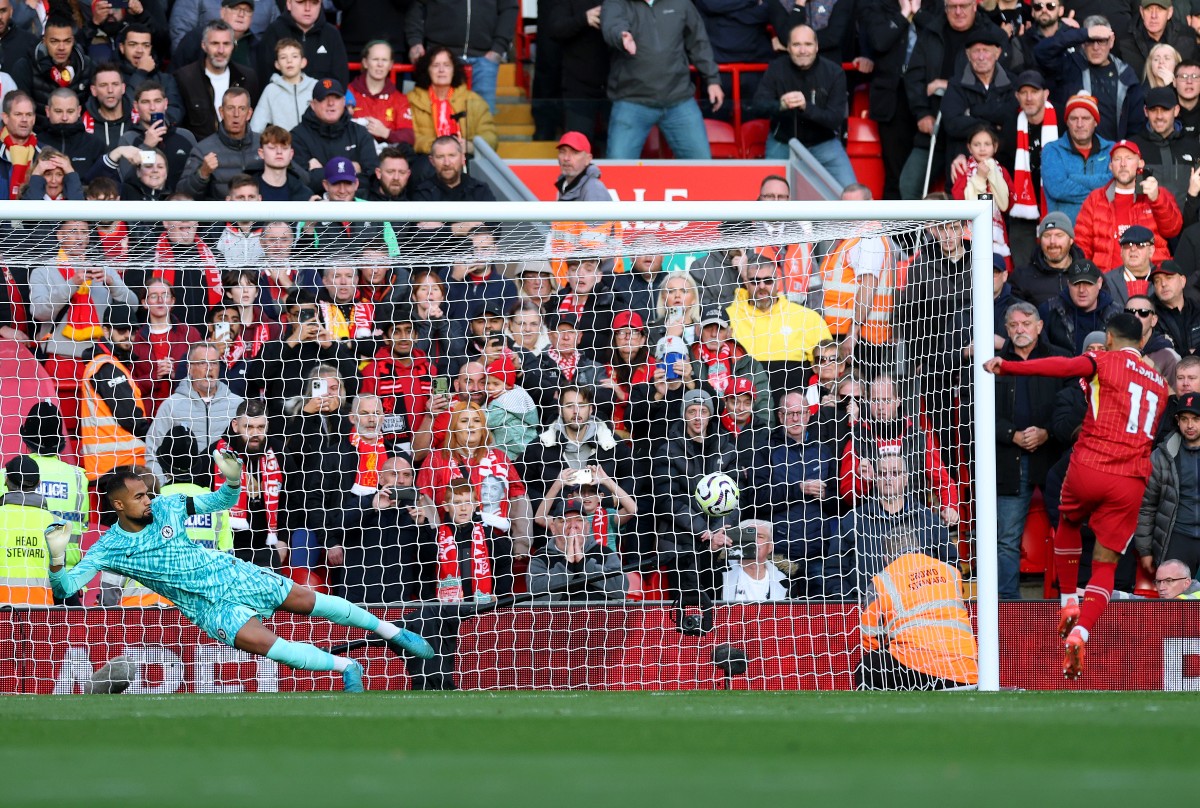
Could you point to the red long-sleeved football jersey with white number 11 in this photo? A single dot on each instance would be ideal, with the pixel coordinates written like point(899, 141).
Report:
point(1126, 400)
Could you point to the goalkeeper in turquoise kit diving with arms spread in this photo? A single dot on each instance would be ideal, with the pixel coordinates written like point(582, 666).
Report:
point(224, 596)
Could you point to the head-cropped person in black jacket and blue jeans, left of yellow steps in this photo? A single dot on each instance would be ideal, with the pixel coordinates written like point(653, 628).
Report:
point(484, 40)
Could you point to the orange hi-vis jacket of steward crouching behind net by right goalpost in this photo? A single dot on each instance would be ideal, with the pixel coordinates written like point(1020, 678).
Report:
point(920, 617)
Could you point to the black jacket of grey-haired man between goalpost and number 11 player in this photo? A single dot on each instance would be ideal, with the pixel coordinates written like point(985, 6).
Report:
point(1042, 394)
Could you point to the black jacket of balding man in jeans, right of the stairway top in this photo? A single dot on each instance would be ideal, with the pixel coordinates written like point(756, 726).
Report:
point(825, 113)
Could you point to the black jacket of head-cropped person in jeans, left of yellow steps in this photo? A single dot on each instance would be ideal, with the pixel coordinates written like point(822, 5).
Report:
point(470, 28)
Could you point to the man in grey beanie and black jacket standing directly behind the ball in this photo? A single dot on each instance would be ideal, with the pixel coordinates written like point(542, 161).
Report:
point(694, 448)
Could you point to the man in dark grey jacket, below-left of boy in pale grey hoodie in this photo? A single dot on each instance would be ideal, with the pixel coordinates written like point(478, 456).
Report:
point(232, 151)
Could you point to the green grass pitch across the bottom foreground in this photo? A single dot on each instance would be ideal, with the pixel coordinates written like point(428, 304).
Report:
point(574, 750)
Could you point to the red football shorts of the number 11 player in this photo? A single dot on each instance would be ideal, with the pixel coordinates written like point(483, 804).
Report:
point(1109, 504)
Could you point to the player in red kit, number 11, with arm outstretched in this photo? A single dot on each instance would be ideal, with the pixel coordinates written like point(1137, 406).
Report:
point(1109, 468)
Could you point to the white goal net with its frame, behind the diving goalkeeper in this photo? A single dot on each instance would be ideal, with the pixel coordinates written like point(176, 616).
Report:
point(489, 423)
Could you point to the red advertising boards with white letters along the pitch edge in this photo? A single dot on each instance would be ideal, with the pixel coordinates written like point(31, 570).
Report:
point(1138, 647)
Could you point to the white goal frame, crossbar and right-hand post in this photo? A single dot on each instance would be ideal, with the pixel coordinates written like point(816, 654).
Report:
point(979, 213)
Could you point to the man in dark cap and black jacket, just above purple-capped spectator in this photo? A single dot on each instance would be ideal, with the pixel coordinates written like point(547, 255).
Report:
point(327, 131)
